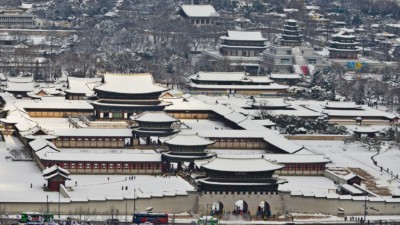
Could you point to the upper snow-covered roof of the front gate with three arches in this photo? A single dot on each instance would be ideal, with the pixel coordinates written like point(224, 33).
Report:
point(236, 164)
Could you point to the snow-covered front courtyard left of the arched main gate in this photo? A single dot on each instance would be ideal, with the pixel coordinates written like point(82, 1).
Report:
point(17, 177)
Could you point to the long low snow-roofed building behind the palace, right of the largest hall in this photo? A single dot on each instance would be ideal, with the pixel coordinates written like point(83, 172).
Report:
point(234, 82)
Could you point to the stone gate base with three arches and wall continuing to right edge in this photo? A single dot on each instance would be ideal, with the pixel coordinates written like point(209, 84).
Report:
point(285, 202)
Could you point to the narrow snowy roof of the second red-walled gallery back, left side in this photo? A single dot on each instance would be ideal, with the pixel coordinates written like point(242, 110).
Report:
point(92, 132)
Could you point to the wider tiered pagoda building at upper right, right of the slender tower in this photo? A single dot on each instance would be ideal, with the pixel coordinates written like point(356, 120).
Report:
point(343, 46)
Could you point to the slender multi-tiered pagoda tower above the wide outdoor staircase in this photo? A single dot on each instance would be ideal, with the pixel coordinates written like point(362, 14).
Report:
point(291, 34)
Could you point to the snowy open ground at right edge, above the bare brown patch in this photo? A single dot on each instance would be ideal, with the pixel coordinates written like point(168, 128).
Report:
point(355, 155)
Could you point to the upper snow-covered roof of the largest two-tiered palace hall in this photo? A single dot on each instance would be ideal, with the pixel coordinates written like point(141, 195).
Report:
point(129, 84)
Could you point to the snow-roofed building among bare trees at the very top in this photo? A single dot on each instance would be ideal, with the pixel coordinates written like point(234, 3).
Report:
point(199, 15)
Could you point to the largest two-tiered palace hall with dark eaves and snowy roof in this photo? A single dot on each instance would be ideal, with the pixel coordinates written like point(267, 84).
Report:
point(122, 95)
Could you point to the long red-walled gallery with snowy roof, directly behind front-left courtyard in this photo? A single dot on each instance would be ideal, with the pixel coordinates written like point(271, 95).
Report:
point(76, 161)
